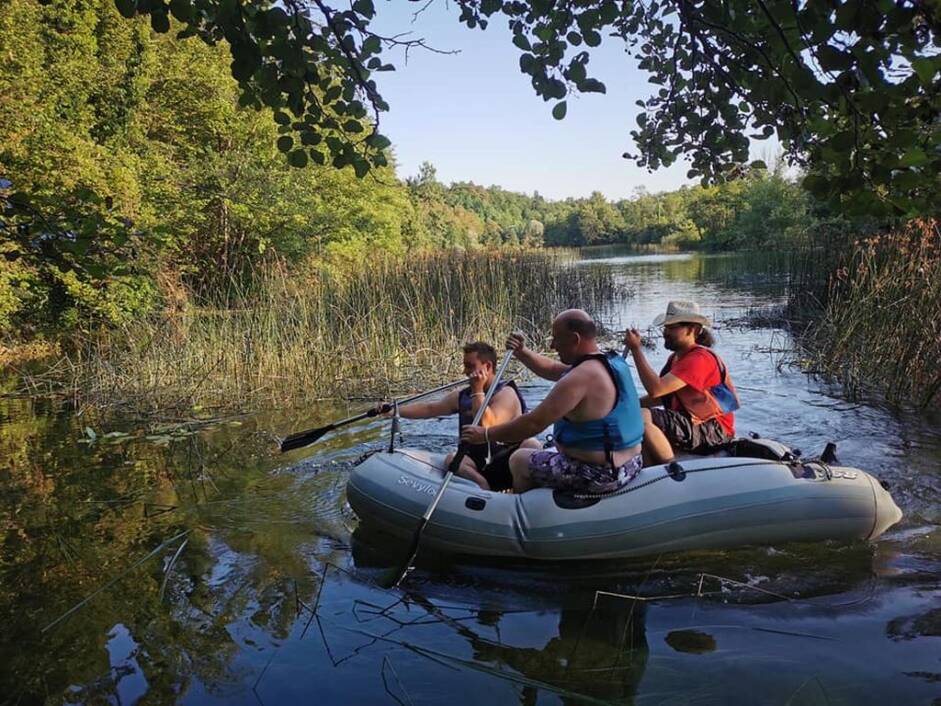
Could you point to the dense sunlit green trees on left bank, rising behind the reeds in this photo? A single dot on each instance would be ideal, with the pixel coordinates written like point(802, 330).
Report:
point(124, 153)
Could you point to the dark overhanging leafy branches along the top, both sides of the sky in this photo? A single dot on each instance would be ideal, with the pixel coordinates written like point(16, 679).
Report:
point(850, 87)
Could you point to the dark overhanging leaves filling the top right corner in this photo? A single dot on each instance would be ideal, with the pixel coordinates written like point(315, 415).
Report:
point(850, 88)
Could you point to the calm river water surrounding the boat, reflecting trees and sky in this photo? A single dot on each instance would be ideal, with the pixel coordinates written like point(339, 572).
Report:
point(181, 565)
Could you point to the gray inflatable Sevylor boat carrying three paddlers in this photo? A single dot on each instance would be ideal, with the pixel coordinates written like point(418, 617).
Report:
point(767, 497)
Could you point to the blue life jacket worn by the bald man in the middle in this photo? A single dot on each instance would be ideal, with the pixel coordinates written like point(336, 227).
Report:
point(621, 428)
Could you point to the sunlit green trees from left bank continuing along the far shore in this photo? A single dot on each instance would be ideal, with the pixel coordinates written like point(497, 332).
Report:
point(132, 180)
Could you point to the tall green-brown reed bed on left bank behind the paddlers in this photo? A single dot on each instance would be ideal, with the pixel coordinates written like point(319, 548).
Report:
point(357, 328)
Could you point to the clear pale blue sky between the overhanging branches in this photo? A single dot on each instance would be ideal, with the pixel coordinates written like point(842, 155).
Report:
point(475, 116)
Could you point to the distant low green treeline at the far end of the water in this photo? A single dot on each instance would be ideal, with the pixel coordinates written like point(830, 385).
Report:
point(759, 209)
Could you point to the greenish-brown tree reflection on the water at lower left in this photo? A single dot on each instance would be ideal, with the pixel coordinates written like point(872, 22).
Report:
point(78, 516)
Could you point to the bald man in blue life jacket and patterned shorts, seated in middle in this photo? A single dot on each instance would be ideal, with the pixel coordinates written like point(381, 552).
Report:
point(595, 409)
